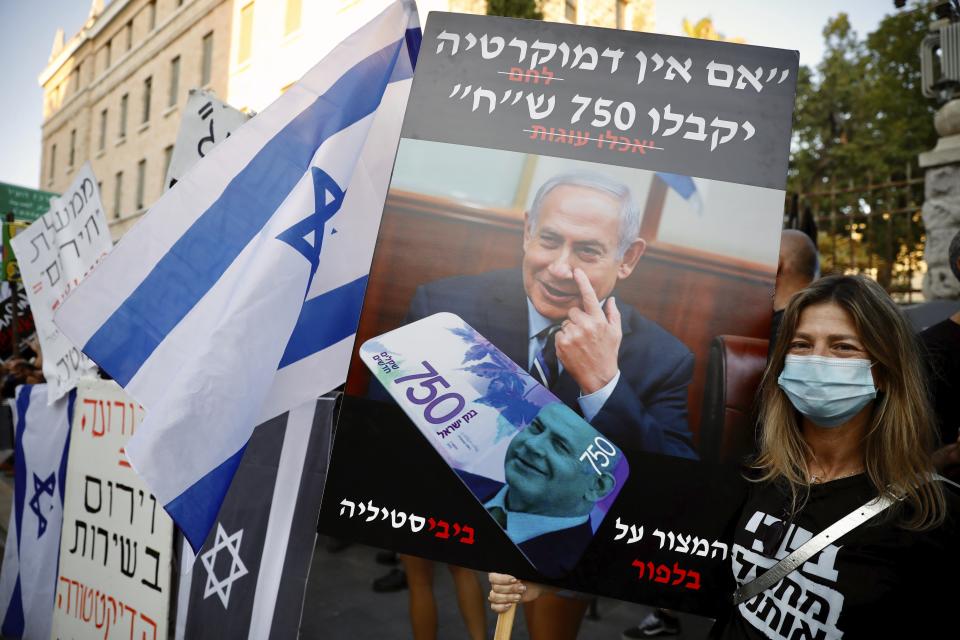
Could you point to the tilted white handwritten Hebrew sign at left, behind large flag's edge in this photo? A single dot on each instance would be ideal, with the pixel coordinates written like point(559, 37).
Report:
point(54, 254)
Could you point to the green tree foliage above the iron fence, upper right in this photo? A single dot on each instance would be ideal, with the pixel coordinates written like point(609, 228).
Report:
point(862, 112)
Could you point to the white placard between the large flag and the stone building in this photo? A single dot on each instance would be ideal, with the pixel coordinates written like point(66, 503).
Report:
point(206, 122)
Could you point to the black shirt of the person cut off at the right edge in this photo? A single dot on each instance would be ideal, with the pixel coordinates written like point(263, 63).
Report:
point(942, 343)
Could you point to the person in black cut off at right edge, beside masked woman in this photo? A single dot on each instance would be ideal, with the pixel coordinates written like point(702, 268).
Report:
point(942, 350)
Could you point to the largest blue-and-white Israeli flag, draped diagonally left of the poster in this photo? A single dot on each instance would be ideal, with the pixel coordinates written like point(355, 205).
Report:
point(237, 296)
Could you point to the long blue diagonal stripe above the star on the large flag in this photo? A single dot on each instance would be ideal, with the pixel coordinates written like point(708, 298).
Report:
point(199, 258)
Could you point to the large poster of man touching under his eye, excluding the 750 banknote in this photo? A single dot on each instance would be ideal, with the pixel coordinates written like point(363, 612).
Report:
point(555, 183)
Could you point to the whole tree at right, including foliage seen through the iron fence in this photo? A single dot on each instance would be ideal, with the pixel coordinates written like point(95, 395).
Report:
point(861, 119)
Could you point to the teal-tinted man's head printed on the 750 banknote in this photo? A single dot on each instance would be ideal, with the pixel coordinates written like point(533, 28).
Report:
point(544, 471)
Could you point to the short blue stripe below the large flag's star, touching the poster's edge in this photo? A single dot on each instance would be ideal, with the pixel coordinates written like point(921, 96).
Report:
point(325, 321)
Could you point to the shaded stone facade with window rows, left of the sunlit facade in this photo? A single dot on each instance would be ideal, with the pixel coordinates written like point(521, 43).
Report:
point(113, 93)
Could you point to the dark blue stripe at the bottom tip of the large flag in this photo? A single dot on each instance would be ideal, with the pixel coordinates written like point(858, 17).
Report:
point(195, 510)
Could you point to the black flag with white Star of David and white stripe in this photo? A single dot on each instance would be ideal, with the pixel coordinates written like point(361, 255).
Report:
point(250, 578)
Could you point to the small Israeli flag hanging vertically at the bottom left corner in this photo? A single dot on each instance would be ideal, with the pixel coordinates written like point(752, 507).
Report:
point(29, 578)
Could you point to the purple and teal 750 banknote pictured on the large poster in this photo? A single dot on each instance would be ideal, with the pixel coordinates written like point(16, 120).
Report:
point(502, 432)
